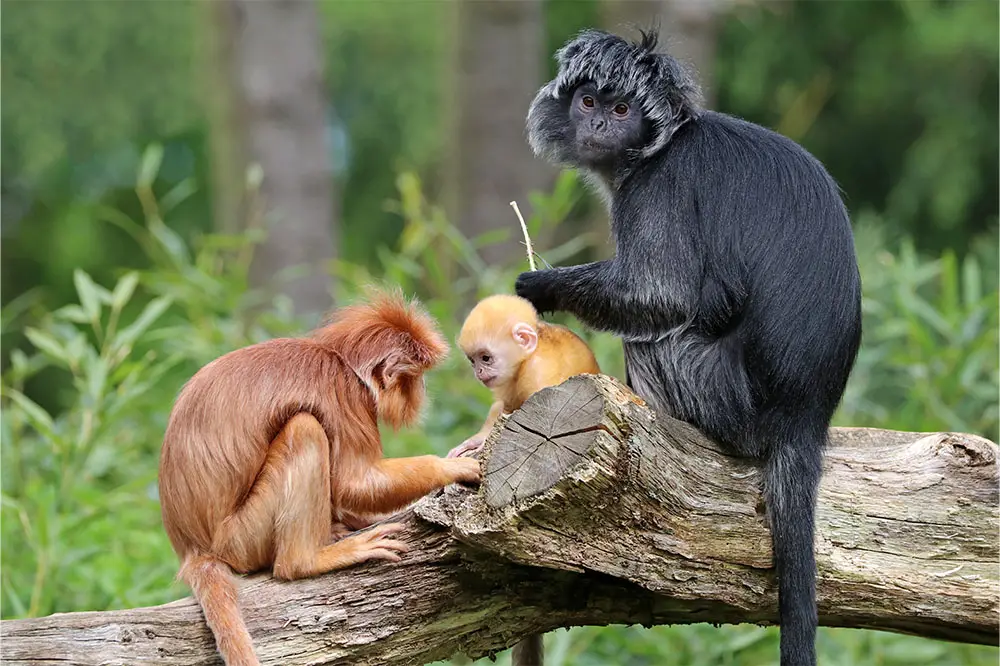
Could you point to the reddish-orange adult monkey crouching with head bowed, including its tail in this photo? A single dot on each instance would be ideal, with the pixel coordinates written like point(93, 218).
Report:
point(273, 451)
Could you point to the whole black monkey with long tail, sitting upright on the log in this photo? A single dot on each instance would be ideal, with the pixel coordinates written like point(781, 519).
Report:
point(734, 288)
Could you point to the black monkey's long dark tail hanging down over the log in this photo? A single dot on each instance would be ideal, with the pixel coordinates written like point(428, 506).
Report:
point(792, 474)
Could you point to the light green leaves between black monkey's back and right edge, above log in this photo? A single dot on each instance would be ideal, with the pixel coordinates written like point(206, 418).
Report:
point(929, 356)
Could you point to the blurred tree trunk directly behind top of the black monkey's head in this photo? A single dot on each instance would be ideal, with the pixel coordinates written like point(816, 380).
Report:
point(687, 30)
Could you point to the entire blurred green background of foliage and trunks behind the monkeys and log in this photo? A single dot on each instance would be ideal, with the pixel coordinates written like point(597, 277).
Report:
point(182, 178)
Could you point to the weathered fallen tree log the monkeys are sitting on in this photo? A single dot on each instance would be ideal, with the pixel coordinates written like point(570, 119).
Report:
point(596, 511)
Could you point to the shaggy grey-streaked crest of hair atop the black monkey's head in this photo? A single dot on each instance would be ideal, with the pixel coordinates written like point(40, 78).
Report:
point(664, 89)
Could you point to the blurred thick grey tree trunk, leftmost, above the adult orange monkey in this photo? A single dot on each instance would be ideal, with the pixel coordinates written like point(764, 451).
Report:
point(268, 108)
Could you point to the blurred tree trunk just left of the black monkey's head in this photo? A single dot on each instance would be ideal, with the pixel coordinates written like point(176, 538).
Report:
point(499, 66)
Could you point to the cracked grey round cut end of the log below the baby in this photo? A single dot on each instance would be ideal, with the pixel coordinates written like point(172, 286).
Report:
point(553, 430)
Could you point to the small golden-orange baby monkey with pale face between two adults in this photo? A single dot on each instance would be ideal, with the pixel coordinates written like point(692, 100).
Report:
point(515, 355)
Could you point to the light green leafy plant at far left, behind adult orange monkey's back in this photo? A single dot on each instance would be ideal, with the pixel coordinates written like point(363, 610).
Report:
point(76, 485)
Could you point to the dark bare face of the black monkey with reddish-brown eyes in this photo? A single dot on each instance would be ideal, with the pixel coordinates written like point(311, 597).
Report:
point(605, 126)
